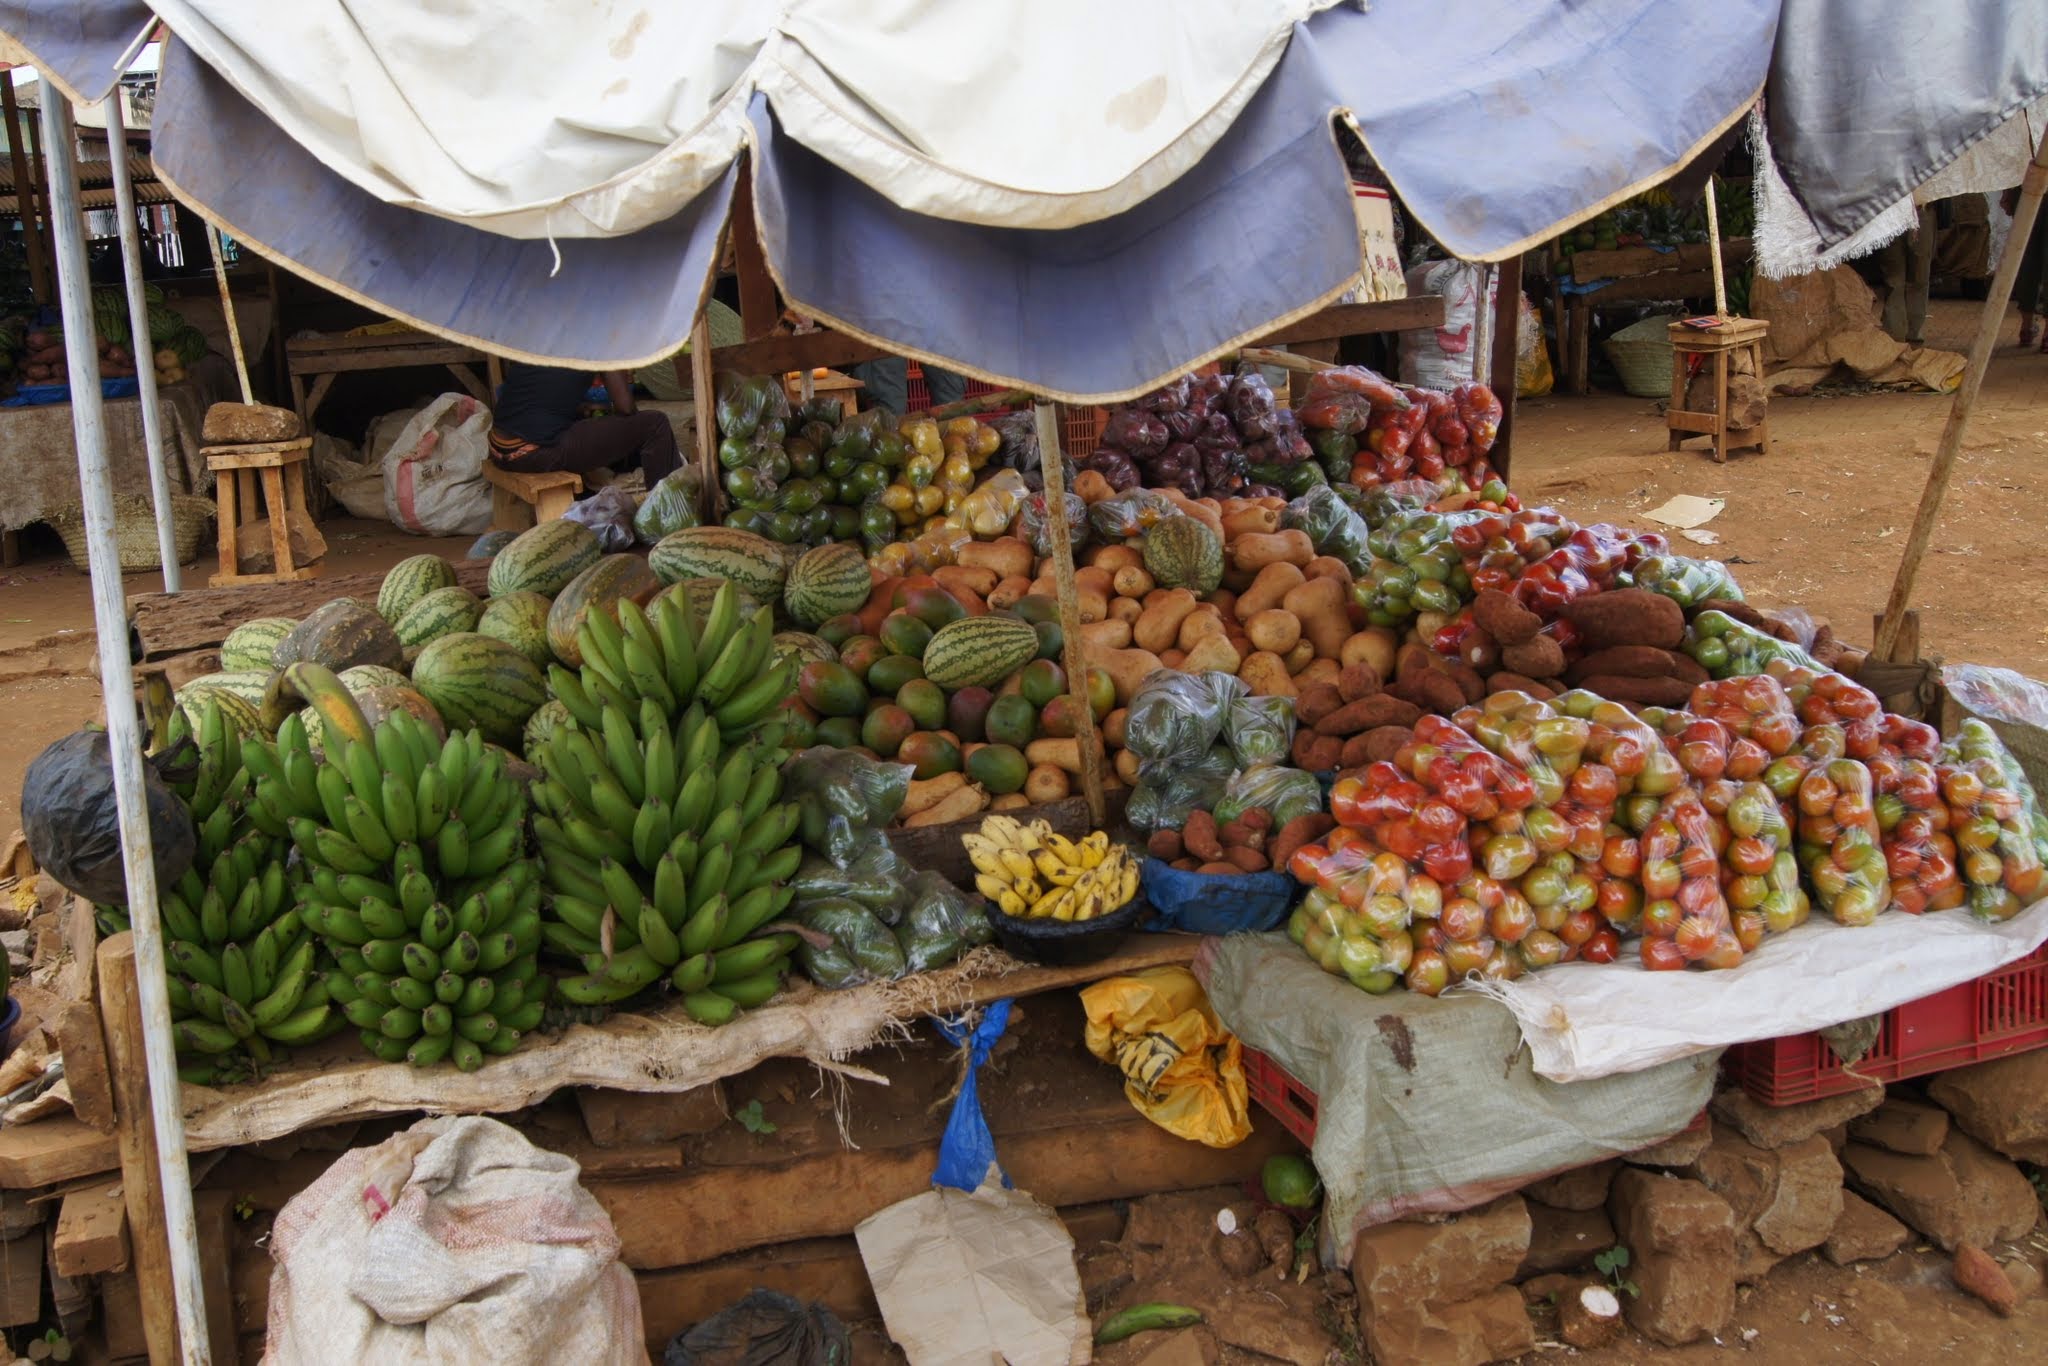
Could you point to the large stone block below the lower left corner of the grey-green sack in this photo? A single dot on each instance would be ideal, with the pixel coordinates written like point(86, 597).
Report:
point(1435, 1293)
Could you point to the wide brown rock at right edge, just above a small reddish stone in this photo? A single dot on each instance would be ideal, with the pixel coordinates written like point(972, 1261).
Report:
point(1961, 1195)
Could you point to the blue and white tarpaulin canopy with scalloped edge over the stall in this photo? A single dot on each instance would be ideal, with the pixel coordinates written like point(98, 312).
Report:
point(1060, 196)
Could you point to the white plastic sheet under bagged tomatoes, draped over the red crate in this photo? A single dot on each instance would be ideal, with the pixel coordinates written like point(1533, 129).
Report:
point(1601, 1021)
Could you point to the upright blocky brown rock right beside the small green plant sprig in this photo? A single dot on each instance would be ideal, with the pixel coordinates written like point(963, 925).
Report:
point(1682, 1254)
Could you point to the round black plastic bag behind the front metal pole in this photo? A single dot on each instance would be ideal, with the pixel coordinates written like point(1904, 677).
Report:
point(75, 828)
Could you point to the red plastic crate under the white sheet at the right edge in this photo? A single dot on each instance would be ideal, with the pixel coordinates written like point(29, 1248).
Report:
point(1992, 1017)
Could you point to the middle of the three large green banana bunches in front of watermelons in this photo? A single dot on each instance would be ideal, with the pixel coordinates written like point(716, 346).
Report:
point(421, 890)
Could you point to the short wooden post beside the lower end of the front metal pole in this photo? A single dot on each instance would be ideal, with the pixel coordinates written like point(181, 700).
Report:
point(142, 1187)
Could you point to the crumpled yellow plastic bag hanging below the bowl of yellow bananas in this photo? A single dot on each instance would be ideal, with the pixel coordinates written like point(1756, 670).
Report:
point(1183, 1070)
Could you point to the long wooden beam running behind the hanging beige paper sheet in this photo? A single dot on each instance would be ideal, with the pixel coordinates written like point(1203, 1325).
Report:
point(663, 1222)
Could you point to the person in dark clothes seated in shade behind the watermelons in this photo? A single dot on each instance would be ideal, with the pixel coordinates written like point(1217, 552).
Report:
point(536, 427)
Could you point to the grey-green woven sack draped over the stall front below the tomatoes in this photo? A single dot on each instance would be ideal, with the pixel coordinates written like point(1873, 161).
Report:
point(1431, 1107)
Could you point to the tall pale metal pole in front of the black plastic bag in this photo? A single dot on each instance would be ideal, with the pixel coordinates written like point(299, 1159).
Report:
point(124, 734)
